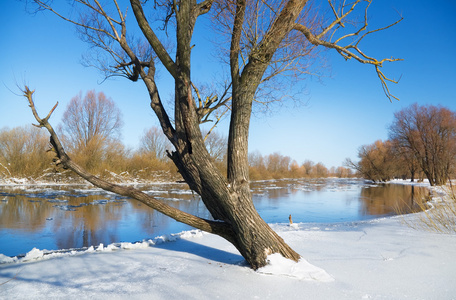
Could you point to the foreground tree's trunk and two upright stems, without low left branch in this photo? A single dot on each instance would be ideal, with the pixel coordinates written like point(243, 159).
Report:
point(228, 199)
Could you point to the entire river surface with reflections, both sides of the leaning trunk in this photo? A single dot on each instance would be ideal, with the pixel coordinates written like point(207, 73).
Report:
point(64, 217)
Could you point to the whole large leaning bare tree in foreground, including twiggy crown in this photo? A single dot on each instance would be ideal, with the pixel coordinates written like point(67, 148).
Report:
point(266, 39)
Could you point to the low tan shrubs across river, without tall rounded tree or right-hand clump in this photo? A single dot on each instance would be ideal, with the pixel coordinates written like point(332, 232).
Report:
point(25, 153)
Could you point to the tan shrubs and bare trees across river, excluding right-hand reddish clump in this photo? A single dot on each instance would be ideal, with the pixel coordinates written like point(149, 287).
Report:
point(90, 132)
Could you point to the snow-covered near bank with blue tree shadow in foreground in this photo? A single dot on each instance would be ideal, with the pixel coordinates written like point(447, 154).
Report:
point(379, 259)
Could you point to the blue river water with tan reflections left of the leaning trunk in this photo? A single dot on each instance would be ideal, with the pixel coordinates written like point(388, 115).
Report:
point(75, 217)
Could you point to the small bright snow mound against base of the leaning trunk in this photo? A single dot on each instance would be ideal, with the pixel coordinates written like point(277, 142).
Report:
point(302, 270)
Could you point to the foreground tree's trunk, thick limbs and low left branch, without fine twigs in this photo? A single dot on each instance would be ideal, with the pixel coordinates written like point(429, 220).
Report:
point(227, 198)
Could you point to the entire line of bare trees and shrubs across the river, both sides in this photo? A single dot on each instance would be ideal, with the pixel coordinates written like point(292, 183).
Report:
point(421, 144)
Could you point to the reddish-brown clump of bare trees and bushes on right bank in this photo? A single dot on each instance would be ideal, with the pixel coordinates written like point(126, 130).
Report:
point(421, 144)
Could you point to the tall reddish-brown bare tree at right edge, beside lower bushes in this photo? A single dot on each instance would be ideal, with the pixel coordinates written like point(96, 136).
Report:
point(429, 133)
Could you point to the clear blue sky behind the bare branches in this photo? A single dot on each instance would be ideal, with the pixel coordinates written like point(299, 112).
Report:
point(336, 115)
